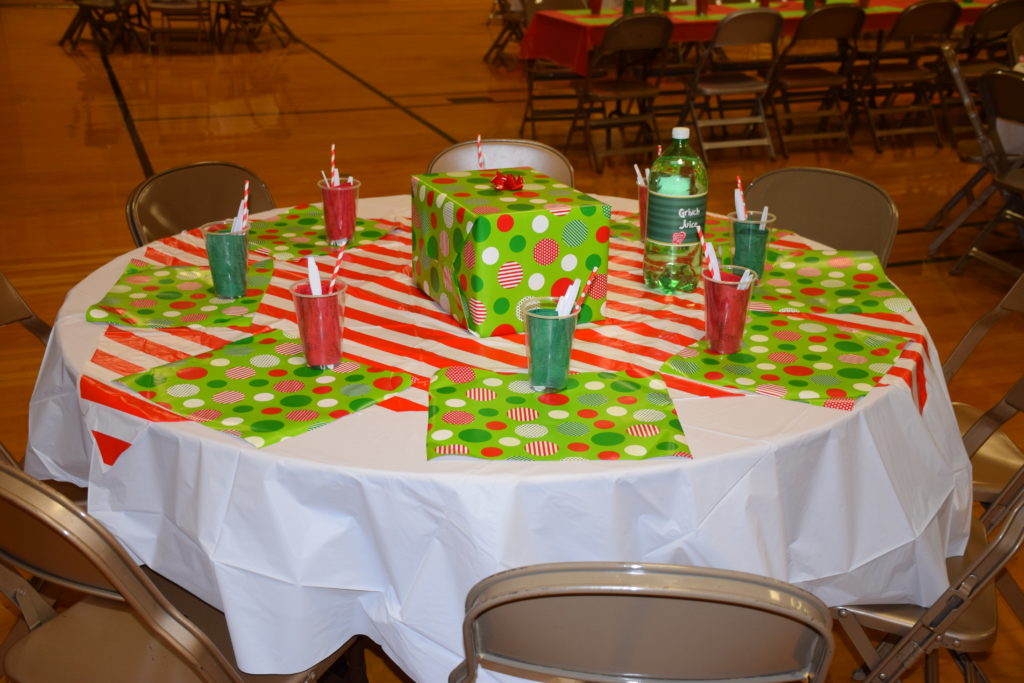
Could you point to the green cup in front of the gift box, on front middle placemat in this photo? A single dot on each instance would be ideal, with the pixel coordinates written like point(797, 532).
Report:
point(549, 345)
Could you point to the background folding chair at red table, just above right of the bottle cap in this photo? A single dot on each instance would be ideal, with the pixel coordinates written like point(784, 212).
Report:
point(724, 83)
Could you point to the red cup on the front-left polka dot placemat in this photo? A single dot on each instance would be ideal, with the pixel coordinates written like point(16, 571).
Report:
point(321, 319)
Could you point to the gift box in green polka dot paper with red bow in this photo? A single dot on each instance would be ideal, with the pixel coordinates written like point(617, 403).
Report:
point(484, 254)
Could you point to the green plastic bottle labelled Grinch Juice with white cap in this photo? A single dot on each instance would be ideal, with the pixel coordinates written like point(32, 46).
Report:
point(677, 200)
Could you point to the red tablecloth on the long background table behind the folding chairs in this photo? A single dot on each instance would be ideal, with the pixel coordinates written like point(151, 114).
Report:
point(568, 37)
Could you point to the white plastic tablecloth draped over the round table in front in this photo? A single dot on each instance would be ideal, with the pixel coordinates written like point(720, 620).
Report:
point(351, 530)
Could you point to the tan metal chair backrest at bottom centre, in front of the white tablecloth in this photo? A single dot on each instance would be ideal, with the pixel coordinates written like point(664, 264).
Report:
point(607, 622)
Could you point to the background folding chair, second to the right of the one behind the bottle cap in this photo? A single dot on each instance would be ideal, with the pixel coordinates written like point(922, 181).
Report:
point(895, 90)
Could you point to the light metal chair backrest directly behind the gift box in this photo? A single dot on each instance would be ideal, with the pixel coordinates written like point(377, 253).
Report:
point(505, 154)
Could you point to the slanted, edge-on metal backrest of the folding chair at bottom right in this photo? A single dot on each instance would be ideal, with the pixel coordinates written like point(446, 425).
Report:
point(976, 577)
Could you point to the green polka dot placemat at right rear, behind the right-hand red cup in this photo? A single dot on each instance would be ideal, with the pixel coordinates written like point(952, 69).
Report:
point(829, 281)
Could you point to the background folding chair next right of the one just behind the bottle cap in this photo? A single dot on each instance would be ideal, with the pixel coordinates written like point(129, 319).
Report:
point(815, 70)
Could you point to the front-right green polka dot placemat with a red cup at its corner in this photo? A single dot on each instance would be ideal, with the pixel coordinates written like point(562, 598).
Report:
point(791, 357)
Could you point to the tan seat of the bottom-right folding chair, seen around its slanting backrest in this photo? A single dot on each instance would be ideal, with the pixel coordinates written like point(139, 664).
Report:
point(975, 630)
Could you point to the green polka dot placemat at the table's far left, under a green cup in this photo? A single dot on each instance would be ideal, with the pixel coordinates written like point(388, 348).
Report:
point(179, 296)
